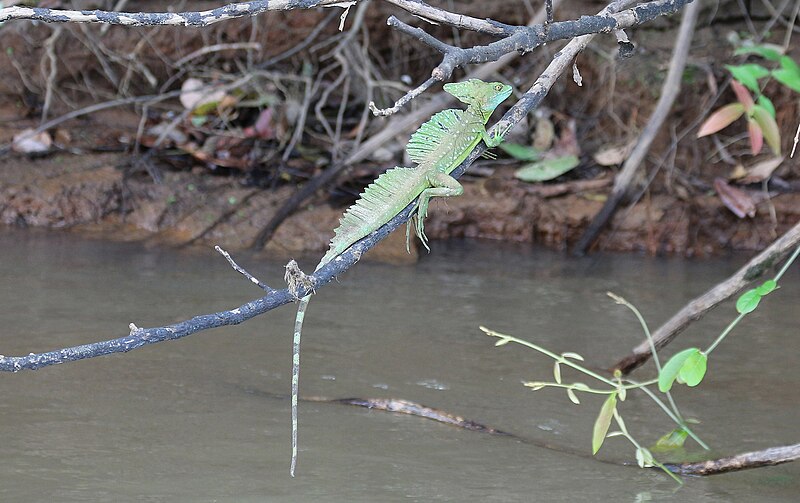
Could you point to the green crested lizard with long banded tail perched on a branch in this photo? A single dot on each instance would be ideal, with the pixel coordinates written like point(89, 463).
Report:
point(438, 147)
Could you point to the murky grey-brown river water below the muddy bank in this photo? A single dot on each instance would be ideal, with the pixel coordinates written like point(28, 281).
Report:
point(206, 418)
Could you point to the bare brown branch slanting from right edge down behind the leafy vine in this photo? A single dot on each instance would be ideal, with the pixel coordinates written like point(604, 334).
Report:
point(695, 309)
